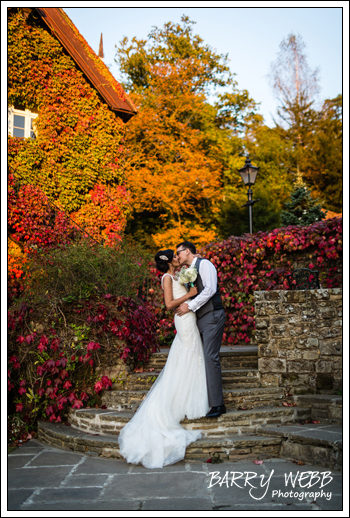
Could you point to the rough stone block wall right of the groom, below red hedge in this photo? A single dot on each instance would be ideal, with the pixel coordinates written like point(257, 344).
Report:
point(299, 338)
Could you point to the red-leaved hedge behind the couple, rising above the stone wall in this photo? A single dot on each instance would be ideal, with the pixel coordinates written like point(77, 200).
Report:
point(258, 262)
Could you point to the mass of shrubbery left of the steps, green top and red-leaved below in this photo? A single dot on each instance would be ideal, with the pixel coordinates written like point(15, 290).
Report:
point(80, 310)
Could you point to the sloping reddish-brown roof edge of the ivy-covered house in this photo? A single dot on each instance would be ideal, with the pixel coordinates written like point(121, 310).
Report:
point(88, 61)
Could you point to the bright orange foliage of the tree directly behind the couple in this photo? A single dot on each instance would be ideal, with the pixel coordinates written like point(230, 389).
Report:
point(169, 169)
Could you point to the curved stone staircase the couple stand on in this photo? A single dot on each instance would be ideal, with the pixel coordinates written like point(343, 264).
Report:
point(256, 424)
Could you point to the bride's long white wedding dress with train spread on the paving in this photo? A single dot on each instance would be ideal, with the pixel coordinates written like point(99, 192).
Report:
point(154, 436)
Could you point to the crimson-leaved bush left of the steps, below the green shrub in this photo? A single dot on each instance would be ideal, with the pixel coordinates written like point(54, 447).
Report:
point(53, 362)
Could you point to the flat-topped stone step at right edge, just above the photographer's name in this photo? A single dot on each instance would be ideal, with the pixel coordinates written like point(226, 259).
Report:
point(319, 444)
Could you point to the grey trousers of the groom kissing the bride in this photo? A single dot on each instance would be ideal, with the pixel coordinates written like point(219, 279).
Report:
point(211, 328)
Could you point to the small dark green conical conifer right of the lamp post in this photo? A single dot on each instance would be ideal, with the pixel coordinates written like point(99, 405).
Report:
point(301, 209)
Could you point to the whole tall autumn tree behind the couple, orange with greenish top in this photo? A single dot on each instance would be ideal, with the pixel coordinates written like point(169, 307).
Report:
point(179, 146)
